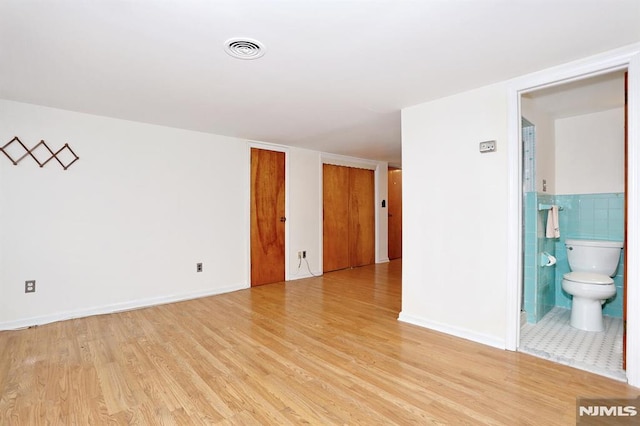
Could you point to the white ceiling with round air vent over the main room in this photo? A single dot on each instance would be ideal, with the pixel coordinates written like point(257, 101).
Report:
point(335, 74)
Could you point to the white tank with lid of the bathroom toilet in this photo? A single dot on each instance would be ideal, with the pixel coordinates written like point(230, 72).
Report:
point(596, 256)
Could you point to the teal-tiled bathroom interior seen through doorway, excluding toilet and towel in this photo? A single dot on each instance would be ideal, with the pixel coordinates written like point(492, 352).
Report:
point(573, 157)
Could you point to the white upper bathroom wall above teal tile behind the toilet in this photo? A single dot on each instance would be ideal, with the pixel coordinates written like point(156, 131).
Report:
point(590, 153)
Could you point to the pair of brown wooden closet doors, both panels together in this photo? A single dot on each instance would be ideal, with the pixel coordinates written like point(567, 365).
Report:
point(348, 217)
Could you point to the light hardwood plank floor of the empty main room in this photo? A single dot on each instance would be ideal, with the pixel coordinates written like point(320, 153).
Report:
point(325, 350)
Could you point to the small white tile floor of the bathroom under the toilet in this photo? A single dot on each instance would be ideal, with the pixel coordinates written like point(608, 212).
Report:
point(554, 339)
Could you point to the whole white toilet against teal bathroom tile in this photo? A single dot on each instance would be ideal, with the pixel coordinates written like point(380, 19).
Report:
point(592, 263)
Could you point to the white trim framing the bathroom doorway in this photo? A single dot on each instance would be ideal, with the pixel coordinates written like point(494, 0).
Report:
point(624, 58)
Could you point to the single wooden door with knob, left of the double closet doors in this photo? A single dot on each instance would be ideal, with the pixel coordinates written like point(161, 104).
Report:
point(267, 216)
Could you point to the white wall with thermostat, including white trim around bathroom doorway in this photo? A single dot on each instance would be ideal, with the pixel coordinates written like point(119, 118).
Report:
point(461, 257)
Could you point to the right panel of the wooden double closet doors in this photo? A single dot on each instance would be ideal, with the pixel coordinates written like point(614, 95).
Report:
point(362, 220)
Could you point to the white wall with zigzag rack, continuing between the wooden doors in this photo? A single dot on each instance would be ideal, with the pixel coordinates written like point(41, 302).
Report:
point(126, 224)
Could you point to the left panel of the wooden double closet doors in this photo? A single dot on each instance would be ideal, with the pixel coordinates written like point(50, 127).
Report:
point(335, 224)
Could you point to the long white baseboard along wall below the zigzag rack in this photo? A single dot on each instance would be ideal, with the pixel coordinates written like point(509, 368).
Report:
point(113, 308)
